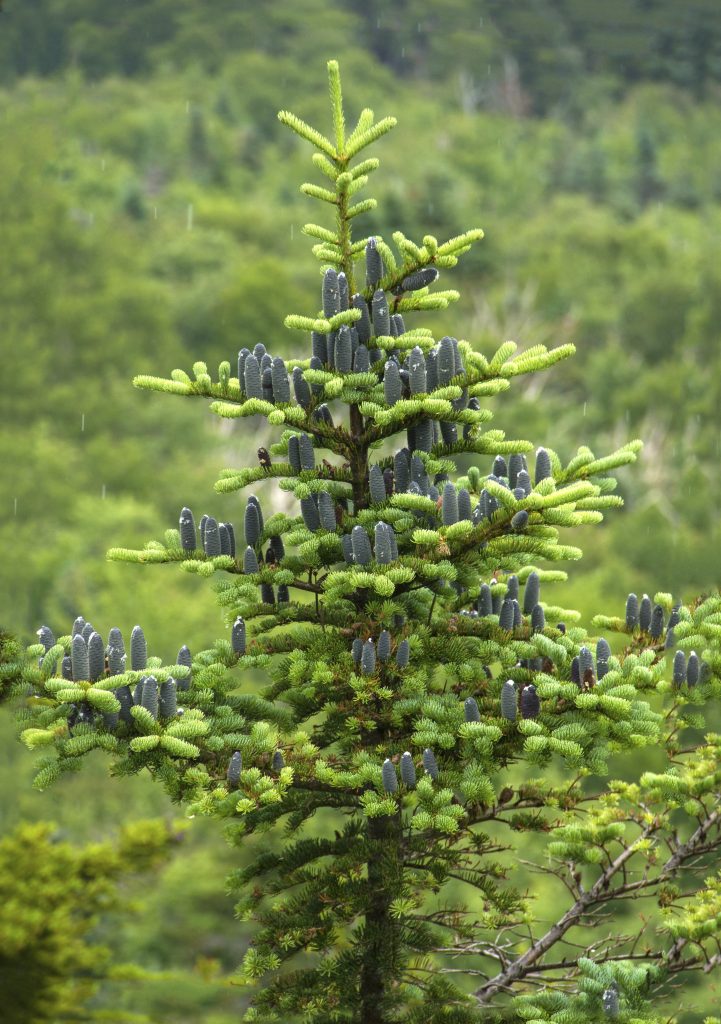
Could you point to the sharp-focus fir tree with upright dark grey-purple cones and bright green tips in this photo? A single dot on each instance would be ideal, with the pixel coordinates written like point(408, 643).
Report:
point(422, 692)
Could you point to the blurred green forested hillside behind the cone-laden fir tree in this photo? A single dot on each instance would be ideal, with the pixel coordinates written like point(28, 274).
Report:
point(150, 217)
